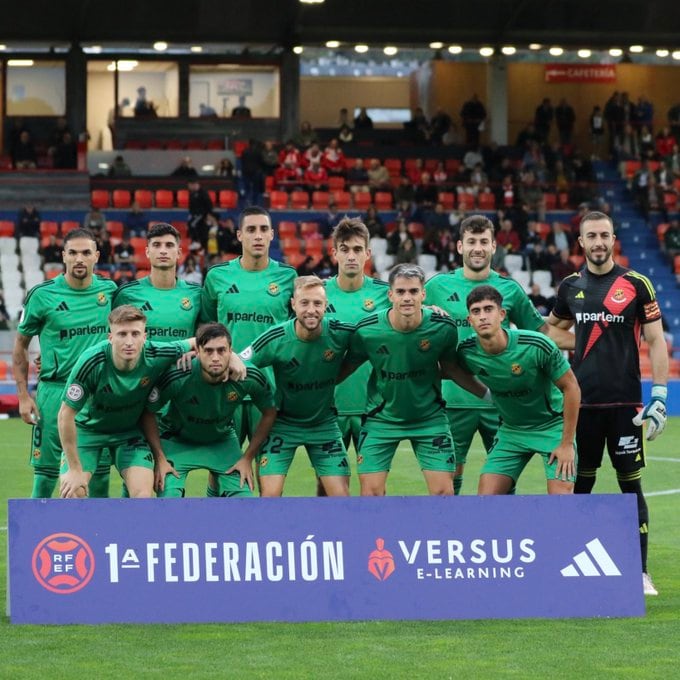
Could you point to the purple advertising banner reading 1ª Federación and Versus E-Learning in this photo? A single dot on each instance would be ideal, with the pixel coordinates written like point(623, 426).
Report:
point(331, 559)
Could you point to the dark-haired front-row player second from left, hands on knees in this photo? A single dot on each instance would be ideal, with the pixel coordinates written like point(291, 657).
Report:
point(197, 430)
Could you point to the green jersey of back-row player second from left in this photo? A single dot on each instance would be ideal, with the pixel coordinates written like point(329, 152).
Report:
point(171, 313)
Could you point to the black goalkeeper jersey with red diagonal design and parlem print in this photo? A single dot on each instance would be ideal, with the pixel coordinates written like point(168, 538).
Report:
point(608, 312)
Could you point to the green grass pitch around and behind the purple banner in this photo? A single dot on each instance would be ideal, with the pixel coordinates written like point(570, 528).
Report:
point(577, 648)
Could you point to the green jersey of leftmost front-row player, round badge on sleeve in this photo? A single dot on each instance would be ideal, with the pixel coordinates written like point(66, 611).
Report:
point(108, 400)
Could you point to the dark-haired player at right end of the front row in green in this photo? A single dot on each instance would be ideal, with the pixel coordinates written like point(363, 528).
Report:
point(535, 391)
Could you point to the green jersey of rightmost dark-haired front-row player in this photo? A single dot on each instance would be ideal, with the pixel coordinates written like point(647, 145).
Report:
point(521, 378)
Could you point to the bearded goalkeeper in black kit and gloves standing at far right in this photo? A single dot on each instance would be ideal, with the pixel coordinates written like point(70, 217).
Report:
point(609, 306)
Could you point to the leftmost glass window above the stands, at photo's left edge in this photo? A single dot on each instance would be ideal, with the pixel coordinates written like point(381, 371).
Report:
point(36, 88)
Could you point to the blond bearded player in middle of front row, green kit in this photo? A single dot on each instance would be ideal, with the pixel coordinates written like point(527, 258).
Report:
point(306, 354)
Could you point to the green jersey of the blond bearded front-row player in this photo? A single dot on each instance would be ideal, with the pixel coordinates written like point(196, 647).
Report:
point(304, 371)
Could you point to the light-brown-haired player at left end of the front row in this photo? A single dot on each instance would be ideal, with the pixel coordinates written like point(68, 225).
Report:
point(104, 400)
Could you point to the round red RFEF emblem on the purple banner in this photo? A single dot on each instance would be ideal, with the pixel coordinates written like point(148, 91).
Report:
point(63, 563)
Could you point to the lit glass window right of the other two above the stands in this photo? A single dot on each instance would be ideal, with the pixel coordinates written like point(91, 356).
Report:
point(234, 90)
